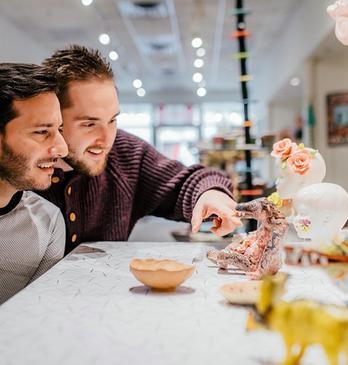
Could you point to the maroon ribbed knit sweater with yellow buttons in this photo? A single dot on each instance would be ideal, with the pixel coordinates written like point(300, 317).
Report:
point(137, 181)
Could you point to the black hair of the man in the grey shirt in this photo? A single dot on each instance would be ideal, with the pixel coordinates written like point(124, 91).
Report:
point(19, 81)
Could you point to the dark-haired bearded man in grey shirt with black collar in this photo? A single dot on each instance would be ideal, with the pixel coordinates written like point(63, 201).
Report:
point(32, 229)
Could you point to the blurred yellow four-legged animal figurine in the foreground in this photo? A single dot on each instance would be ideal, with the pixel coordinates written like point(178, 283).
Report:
point(302, 323)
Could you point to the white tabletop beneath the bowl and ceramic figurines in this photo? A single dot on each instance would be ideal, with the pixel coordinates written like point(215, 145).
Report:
point(83, 312)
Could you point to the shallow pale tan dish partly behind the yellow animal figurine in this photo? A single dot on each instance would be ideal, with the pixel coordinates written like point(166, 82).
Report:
point(242, 292)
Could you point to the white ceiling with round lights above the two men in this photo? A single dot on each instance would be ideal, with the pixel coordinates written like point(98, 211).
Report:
point(155, 46)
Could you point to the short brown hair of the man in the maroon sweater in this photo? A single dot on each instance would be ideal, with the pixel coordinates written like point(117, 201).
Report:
point(77, 63)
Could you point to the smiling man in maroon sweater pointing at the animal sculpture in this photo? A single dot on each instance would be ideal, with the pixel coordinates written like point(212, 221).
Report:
point(107, 183)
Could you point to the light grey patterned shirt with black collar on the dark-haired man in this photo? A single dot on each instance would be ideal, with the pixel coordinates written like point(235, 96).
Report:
point(32, 239)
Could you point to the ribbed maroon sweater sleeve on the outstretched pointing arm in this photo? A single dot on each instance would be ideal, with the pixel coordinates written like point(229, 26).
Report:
point(168, 189)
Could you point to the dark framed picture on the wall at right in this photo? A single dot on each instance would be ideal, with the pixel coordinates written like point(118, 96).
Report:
point(337, 116)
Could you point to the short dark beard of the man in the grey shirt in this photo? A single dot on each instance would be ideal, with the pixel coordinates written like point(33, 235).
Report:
point(14, 167)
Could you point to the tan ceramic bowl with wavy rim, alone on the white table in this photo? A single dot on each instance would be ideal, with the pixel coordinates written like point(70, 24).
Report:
point(160, 274)
